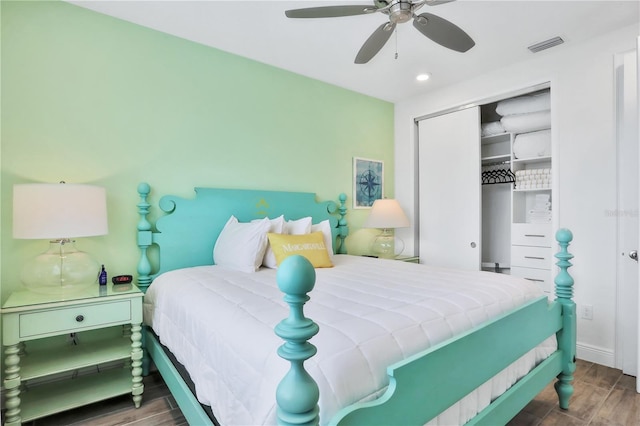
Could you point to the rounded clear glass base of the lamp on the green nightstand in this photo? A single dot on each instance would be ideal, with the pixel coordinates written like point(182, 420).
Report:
point(60, 269)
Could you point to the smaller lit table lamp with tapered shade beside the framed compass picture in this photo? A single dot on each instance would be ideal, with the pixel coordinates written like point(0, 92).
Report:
point(386, 214)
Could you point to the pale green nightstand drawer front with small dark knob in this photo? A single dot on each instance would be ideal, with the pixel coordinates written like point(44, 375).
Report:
point(69, 319)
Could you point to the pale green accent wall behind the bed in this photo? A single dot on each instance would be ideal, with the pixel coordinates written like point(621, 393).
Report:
point(87, 98)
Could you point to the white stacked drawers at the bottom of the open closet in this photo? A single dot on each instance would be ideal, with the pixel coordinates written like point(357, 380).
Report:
point(531, 253)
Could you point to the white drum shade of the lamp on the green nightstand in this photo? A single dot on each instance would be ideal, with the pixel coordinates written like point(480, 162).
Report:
point(59, 211)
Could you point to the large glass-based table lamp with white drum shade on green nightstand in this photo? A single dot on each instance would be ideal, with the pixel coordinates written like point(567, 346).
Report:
point(59, 212)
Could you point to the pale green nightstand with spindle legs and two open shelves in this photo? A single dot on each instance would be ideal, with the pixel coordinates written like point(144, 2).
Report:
point(30, 317)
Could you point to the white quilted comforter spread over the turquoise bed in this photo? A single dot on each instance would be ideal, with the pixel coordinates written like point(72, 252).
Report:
point(371, 312)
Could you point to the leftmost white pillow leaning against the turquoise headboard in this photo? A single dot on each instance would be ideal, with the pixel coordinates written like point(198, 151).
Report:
point(241, 246)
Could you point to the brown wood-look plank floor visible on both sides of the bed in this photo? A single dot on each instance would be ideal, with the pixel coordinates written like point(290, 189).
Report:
point(603, 397)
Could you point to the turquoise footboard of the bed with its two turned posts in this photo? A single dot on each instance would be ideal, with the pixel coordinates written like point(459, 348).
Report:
point(426, 384)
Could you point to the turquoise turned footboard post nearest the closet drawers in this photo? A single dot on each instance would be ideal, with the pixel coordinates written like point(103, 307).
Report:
point(566, 336)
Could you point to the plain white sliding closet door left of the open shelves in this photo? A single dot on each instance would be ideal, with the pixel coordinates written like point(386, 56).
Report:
point(449, 189)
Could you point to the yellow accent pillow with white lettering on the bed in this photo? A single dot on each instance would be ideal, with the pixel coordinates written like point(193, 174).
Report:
point(310, 246)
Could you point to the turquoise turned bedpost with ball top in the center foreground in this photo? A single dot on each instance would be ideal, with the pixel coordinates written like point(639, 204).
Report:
point(297, 394)
